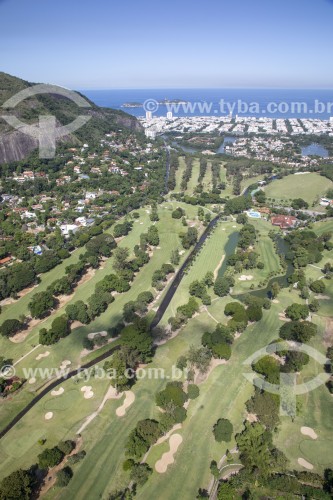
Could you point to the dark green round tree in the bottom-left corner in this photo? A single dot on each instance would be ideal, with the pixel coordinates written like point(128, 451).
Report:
point(18, 485)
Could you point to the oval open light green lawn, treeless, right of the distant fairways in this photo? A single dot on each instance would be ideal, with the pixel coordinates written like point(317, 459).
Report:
point(310, 187)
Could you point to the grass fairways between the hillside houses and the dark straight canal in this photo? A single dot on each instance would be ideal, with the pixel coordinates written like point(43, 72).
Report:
point(71, 347)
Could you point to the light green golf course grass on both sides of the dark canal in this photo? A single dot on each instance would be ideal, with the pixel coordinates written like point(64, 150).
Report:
point(222, 395)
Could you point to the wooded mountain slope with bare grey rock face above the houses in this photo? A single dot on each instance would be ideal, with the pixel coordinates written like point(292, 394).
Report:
point(15, 145)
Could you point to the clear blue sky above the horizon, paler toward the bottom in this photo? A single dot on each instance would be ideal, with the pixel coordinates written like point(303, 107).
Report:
point(163, 44)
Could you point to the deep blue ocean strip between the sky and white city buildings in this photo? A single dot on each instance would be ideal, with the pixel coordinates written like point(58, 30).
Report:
point(272, 103)
